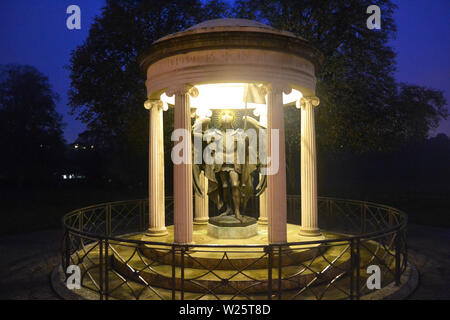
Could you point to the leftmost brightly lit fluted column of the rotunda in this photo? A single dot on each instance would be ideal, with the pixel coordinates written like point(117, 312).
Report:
point(156, 169)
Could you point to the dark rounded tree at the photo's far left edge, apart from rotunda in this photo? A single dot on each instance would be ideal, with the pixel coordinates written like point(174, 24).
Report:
point(31, 140)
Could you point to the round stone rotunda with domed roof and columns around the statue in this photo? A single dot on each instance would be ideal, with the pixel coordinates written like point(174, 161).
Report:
point(183, 68)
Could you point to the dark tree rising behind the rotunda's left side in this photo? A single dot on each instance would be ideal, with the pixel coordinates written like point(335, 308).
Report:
point(107, 87)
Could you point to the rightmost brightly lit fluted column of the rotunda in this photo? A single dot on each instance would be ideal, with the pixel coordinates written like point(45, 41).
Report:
point(310, 223)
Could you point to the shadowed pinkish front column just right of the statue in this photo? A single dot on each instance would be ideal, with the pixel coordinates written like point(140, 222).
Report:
point(276, 179)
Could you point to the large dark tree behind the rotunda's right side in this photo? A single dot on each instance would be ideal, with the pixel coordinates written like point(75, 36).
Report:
point(356, 85)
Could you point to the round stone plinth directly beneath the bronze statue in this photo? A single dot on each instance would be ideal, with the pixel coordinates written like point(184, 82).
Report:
point(228, 227)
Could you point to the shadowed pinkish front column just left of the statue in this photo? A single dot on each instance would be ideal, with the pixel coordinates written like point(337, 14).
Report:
point(182, 168)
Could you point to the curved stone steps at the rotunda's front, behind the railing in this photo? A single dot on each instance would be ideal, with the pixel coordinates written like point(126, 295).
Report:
point(247, 278)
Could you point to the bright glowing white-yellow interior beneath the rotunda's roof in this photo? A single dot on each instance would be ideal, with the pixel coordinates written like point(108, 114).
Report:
point(227, 96)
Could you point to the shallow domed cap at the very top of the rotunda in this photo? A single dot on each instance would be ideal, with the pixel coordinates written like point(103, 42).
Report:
point(228, 24)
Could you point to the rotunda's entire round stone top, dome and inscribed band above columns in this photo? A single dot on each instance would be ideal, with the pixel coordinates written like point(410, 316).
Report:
point(231, 51)
